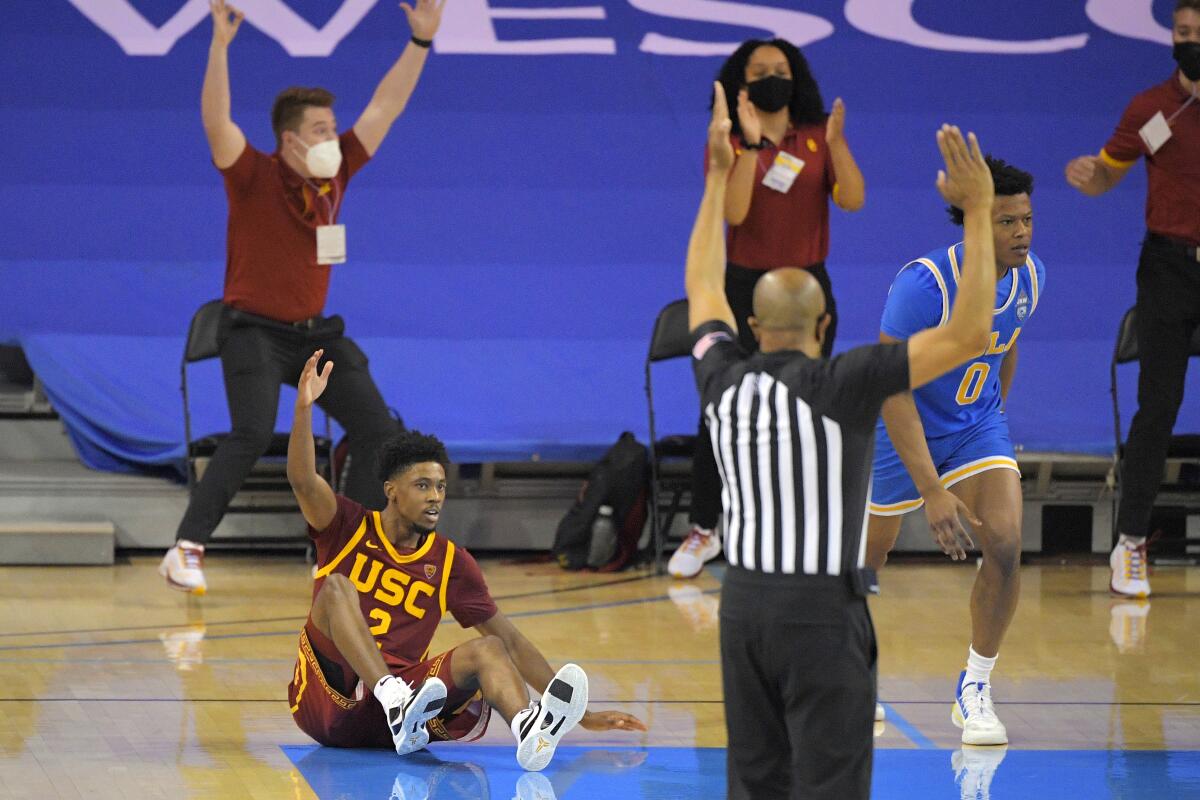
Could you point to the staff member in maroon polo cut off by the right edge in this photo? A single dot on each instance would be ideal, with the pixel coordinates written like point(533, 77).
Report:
point(1162, 125)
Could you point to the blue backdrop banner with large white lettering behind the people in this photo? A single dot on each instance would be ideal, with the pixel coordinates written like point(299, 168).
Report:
point(529, 215)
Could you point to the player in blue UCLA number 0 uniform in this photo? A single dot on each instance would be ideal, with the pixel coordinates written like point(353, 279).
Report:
point(946, 446)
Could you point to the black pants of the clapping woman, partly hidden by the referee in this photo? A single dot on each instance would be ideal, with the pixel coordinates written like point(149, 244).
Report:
point(740, 284)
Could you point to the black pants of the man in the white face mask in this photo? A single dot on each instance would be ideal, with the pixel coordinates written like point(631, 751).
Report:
point(257, 360)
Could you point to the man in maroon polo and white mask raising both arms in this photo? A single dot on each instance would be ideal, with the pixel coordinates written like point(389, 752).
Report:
point(281, 240)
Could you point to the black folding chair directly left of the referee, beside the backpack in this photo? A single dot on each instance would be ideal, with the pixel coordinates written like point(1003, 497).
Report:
point(670, 340)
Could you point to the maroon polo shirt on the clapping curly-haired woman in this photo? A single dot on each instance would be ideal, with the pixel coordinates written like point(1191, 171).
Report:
point(793, 228)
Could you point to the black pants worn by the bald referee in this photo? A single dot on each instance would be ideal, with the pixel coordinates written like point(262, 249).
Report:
point(799, 669)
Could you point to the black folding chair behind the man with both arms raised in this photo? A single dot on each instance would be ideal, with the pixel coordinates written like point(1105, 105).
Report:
point(203, 344)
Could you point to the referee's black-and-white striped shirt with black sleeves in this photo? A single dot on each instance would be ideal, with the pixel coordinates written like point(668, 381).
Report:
point(794, 440)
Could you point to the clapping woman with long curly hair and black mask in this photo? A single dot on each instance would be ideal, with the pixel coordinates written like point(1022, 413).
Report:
point(791, 158)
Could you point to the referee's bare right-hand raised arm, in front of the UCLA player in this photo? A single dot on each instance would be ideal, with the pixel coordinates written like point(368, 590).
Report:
point(965, 184)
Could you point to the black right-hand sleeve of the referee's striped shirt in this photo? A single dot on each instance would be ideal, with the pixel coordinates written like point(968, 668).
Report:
point(866, 377)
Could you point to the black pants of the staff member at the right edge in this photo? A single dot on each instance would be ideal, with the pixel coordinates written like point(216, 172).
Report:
point(1168, 315)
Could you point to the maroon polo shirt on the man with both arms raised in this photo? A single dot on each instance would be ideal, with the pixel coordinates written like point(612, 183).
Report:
point(272, 240)
